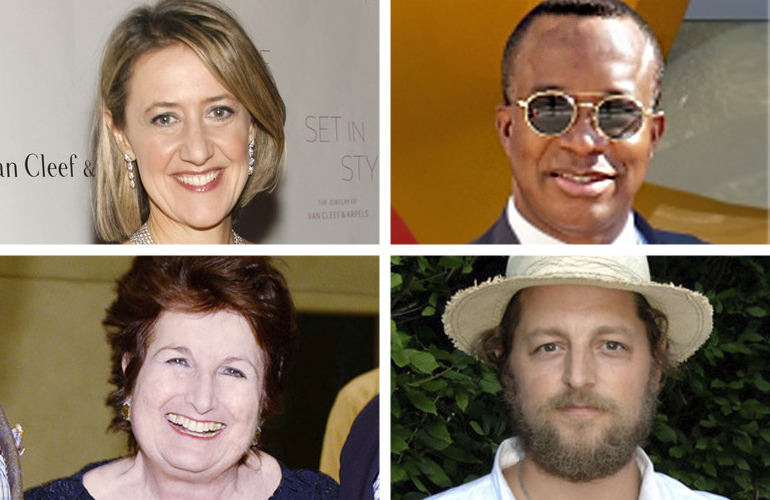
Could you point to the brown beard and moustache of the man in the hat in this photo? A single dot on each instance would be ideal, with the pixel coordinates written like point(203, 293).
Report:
point(581, 461)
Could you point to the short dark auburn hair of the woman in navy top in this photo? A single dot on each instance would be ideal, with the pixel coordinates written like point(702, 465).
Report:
point(249, 286)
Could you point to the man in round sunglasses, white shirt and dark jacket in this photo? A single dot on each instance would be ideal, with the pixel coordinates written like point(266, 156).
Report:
point(581, 81)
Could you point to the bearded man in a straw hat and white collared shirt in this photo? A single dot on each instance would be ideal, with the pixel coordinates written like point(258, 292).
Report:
point(583, 345)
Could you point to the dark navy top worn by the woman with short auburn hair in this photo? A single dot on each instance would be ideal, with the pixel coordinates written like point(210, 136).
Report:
point(295, 485)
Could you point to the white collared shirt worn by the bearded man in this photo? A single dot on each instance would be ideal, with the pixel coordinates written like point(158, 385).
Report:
point(655, 486)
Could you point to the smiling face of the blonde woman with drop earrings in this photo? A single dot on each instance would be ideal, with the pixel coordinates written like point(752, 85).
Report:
point(189, 137)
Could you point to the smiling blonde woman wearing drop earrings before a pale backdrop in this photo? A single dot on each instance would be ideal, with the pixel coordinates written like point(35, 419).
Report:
point(188, 126)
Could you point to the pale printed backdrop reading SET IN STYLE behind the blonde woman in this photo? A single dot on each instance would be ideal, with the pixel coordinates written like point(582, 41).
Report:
point(323, 55)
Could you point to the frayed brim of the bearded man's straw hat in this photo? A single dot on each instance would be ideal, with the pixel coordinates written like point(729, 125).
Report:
point(474, 311)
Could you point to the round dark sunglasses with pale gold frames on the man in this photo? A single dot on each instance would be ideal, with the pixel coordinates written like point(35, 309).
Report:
point(553, 112)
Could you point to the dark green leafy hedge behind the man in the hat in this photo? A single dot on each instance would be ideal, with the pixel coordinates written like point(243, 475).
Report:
point(713, 427)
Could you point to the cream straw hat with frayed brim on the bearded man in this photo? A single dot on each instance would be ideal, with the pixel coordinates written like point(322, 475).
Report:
point(476, 310)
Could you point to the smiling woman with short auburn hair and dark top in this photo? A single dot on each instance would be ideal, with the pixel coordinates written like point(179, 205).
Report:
point(200, 347)
